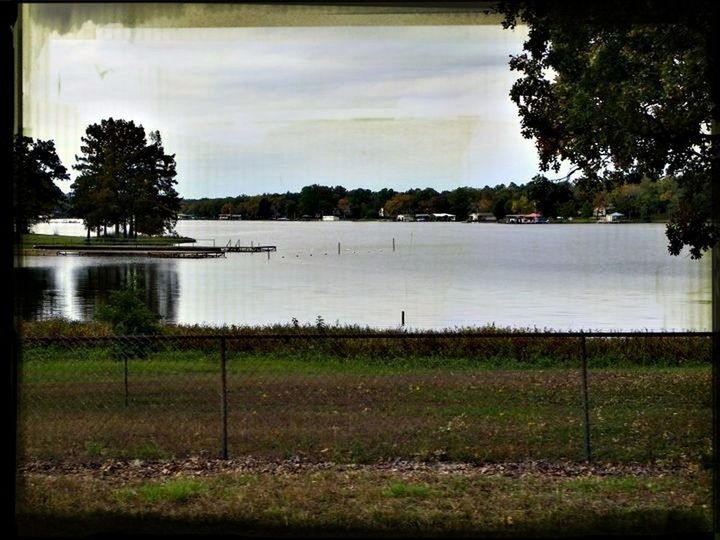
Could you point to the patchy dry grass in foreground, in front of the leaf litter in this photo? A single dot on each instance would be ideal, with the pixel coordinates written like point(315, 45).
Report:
point(368, 502)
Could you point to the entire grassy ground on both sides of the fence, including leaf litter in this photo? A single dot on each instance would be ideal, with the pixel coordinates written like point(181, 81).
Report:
point(336, 438)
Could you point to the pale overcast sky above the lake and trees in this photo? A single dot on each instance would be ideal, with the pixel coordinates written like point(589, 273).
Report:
point(253, 110)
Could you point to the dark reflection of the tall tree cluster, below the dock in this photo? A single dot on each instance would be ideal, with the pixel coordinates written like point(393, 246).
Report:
point(93, 284)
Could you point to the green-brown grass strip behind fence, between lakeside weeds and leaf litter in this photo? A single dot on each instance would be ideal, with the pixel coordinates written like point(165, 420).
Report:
point(355, 410)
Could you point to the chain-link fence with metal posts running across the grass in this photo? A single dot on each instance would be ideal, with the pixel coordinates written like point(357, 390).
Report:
point(363, 397)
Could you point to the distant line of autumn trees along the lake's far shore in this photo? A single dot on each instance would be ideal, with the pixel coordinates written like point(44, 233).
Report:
point(643, 200)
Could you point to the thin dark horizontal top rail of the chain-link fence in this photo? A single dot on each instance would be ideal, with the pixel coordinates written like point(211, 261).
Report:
point(378, 335)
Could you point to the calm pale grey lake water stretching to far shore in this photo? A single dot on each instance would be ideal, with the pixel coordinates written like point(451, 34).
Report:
point(442, 275)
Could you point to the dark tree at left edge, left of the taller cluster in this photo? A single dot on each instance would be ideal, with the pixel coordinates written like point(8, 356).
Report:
point(36, 167)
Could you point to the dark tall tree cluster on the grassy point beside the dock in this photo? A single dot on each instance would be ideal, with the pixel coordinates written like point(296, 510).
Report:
point(125, 181)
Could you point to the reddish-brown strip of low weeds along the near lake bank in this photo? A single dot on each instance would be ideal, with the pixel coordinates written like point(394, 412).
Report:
point(545, 352)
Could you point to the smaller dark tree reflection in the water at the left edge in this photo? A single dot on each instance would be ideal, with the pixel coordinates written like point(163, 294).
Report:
point(40, 297)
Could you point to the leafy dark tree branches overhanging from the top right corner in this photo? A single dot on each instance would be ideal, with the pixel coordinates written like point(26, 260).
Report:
point(622, 90)
